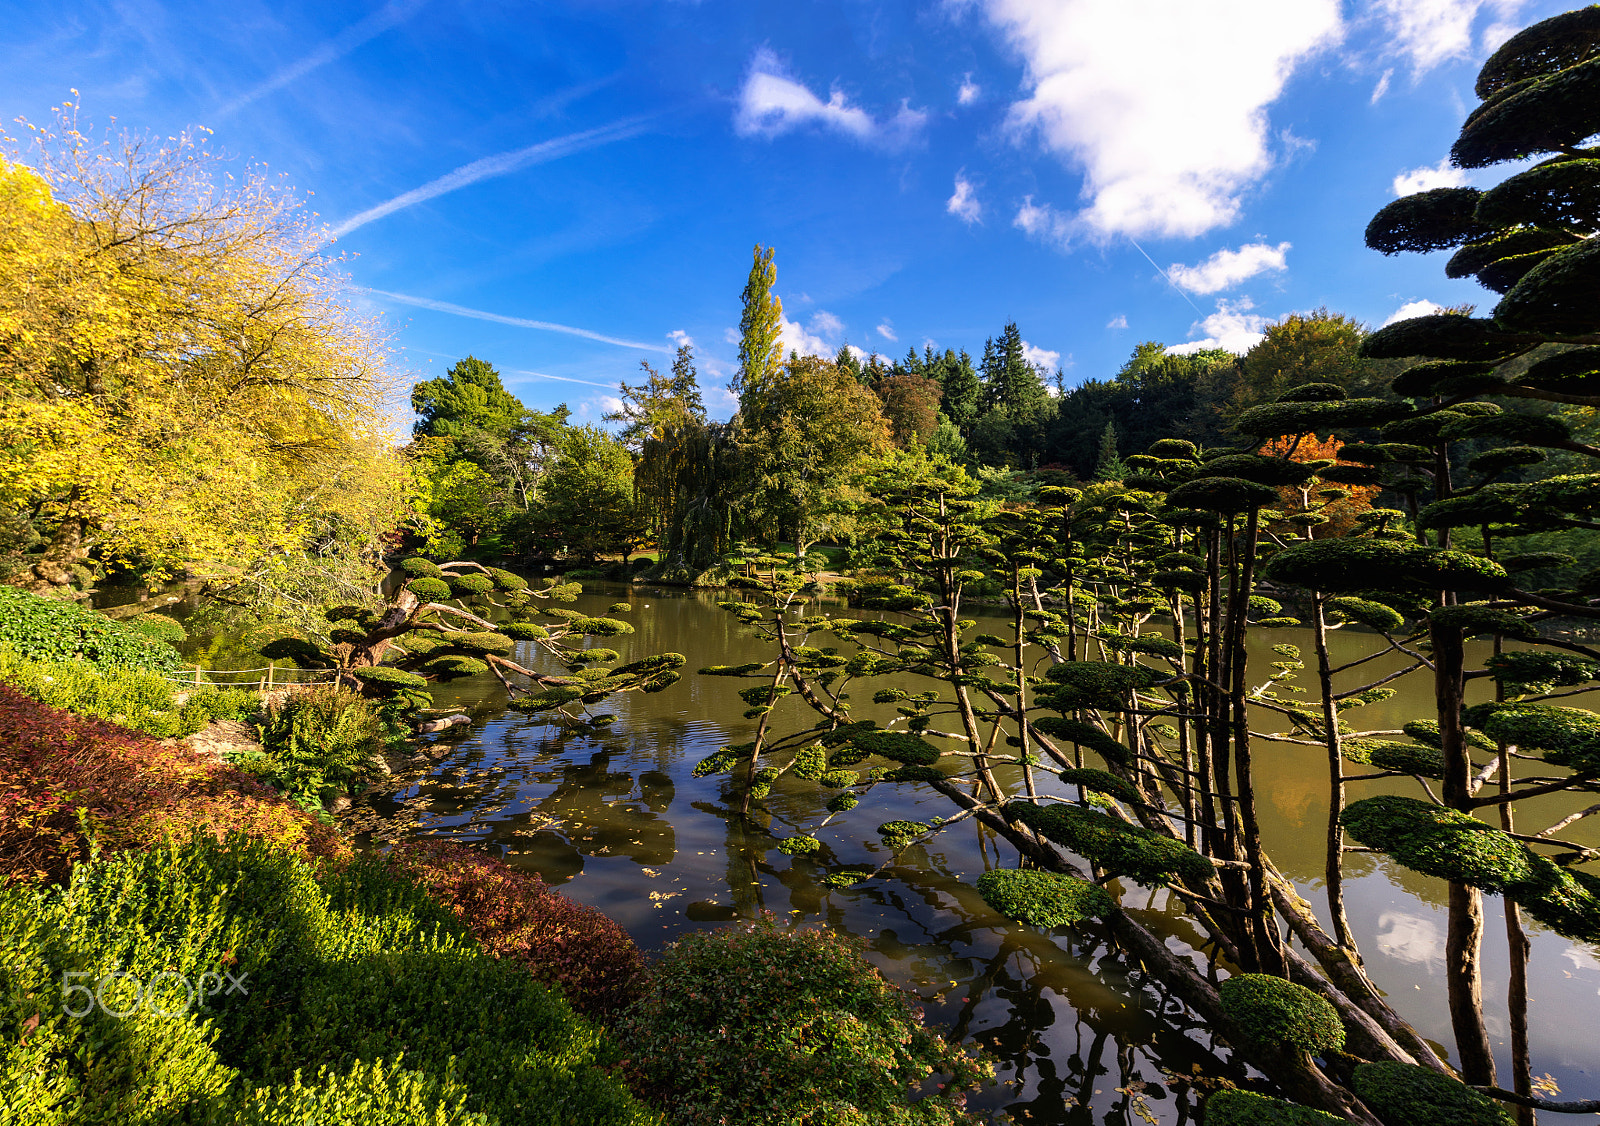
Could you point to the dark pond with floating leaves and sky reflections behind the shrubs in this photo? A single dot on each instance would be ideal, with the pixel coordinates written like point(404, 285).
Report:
point(618, 821)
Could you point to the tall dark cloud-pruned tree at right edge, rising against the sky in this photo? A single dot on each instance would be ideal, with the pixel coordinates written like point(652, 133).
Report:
point(1530, 241)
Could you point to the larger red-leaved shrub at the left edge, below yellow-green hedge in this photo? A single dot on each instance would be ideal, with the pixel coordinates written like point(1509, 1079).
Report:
point(66, 778)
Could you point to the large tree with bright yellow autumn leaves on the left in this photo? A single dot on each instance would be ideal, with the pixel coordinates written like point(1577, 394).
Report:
point(183, 385)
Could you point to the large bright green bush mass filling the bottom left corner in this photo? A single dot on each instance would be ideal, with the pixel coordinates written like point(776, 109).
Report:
point(353, 976)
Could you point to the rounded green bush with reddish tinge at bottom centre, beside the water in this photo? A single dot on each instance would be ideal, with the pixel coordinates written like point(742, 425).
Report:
point(764, 1028)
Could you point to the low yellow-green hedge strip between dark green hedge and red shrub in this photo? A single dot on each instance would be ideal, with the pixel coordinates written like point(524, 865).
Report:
point(132, 698)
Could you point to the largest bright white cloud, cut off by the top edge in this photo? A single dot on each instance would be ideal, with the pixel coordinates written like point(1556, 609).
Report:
point(1162, 106)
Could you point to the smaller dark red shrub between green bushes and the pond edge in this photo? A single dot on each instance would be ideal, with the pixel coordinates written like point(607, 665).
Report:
point(514, 916)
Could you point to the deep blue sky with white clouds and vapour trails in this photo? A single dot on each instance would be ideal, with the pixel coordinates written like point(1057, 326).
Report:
point(566, 190)
